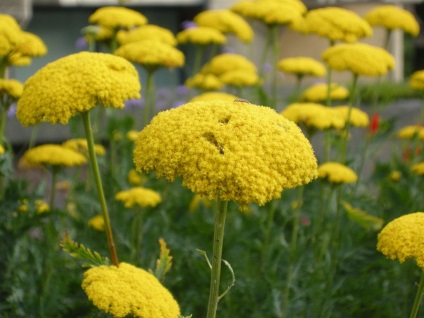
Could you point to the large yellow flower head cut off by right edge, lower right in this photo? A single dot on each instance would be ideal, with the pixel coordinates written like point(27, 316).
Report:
point(403, 238)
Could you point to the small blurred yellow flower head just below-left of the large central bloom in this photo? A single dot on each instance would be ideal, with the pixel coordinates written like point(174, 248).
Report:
point(139, 196)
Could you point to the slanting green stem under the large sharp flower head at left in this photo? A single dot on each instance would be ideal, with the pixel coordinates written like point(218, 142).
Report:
point(97, 178)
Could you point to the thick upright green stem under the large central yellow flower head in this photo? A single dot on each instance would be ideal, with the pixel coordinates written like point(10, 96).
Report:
point(218, 240)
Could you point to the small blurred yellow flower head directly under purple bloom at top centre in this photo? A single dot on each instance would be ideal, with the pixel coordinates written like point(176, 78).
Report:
point(201, 36)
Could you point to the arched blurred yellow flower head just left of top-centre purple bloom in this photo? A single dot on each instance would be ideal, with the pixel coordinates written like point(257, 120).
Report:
point(147, 32)
